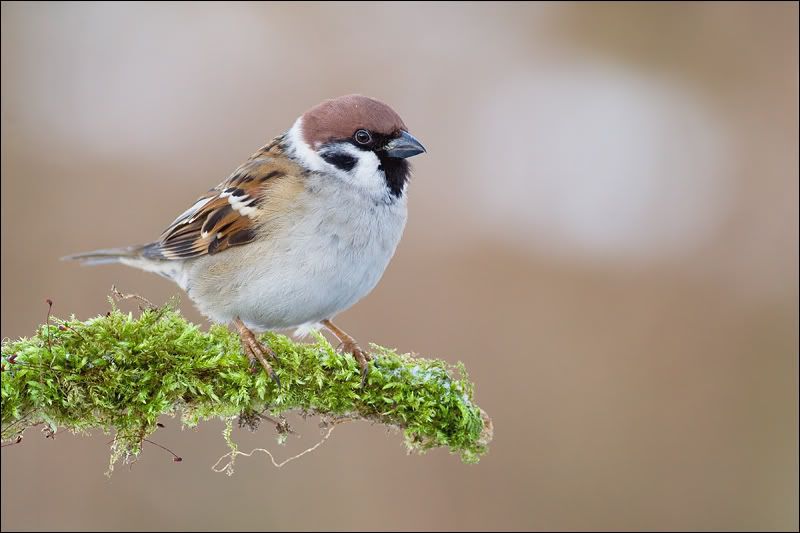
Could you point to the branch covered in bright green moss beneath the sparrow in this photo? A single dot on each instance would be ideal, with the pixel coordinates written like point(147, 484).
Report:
point(119, 372)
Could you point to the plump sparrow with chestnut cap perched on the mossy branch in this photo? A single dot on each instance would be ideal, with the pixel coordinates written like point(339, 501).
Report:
point(298, 233)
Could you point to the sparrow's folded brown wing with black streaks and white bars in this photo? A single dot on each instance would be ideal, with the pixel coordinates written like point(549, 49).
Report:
point(231, 213)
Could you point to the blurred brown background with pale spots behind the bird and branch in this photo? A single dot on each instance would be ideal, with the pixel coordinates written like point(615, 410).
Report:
point(604, 230)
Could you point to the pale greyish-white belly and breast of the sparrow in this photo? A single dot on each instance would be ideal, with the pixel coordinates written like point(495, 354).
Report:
point(311, 268)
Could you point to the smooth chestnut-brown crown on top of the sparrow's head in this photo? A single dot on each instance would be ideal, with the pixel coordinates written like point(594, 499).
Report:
point(341, 117)
